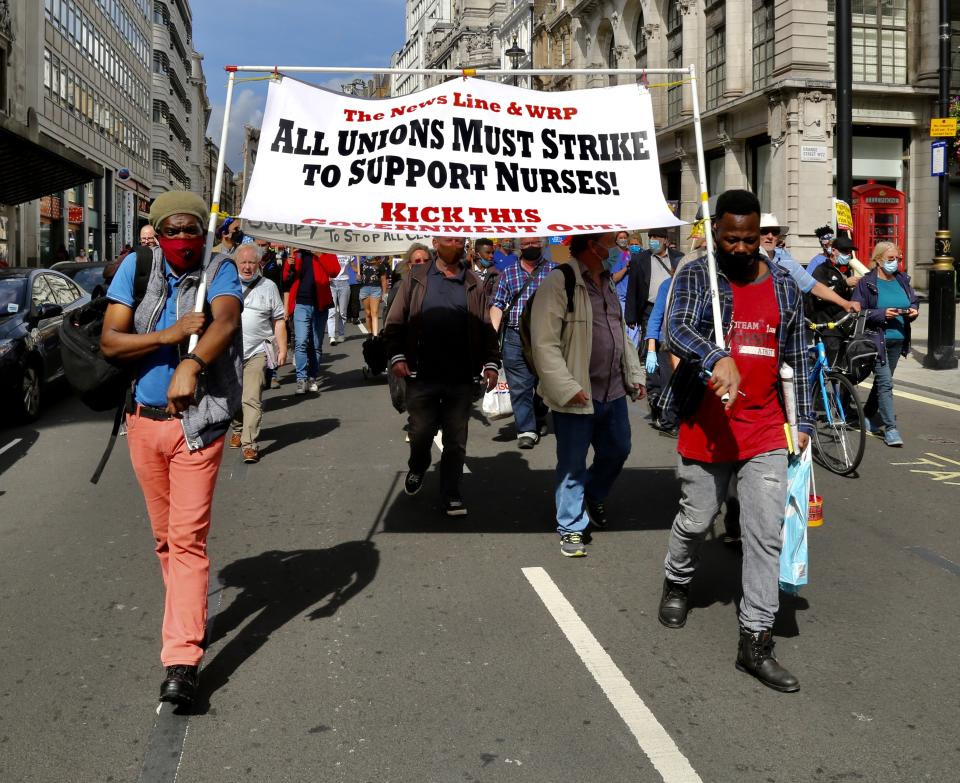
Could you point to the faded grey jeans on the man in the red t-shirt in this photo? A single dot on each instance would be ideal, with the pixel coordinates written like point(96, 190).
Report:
point(762, 491)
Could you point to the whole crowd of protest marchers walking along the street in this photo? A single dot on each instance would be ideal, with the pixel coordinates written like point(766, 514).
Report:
point(566, 346)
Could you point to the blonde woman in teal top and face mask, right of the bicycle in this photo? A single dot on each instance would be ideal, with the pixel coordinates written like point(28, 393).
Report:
point(891, 305)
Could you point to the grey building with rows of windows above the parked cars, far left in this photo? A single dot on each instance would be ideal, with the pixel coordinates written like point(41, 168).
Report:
point(94, 96)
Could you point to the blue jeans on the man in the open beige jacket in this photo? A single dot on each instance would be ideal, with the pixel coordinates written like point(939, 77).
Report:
point(608, 431)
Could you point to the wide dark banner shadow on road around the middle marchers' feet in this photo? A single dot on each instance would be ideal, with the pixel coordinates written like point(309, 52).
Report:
point(505, 496)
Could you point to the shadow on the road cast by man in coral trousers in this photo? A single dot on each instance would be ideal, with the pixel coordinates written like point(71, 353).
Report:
point(275, 587)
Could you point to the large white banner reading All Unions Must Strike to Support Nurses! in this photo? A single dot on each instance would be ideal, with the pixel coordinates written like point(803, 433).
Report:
point(468, 158)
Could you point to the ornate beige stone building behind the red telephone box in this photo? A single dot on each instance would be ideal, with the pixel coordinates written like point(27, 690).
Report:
point(766, 91)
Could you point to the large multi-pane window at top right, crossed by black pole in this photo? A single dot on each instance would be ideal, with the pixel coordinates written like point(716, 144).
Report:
point(879, 38)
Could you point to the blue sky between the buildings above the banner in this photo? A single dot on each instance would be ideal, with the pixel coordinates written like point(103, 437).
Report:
point(287, 32)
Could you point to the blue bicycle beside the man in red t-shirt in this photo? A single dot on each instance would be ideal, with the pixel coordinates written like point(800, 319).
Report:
point(839, 436)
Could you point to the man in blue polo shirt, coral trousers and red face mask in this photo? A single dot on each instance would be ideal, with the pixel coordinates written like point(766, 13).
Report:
point(181, 409)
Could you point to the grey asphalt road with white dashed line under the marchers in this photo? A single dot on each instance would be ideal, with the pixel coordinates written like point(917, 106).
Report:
point(356, 635)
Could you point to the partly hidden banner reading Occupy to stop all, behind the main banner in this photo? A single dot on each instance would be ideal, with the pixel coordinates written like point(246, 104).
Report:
point(350, 241)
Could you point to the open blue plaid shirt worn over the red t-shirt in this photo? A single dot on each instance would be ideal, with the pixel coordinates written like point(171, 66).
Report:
point(689, 333)
